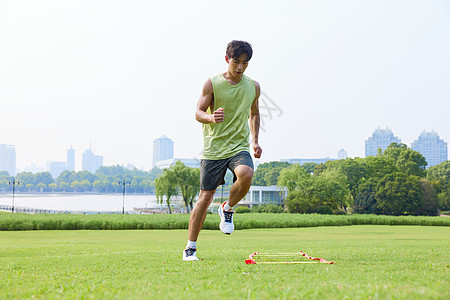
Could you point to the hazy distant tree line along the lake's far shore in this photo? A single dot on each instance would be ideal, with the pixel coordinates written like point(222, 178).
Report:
point(104, 180)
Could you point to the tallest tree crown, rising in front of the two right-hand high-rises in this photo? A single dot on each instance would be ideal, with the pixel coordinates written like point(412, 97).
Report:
point(407, 160)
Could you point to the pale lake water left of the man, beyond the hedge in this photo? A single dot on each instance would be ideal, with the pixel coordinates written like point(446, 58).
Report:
point(82, 202)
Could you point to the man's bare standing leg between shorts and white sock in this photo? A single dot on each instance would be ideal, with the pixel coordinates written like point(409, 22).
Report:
point(198, 214)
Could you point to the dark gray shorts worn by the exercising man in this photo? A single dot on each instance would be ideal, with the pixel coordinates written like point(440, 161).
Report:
point(212, 172)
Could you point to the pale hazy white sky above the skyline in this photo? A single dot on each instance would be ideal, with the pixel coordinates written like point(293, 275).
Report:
point(115, 75)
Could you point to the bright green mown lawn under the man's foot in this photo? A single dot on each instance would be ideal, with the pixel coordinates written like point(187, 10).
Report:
point(372, 262)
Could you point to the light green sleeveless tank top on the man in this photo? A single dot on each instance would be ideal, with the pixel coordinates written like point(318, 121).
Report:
point(225, 139)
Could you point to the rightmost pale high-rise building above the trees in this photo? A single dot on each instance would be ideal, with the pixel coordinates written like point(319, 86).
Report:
point(431, 147)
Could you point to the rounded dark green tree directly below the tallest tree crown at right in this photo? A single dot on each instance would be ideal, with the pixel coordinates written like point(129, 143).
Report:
point(399, 194)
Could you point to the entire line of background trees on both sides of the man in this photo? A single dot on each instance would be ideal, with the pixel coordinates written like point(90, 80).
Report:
point(395, 182)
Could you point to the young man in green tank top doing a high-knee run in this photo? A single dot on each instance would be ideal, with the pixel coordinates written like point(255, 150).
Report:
point(227, 102)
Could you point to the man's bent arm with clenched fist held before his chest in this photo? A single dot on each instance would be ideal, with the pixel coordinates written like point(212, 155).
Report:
point(206, 100)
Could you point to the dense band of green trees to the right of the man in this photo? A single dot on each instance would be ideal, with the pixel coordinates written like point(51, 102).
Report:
point(395, 182)
